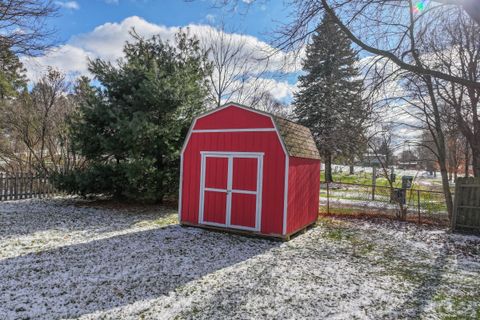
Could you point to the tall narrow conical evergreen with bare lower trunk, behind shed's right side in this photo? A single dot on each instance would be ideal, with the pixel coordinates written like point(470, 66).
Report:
point(329, 101)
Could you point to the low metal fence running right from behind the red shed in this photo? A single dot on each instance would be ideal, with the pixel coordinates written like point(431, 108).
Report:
point(349, 198)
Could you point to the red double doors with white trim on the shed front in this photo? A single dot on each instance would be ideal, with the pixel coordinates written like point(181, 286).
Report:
point(230, 189)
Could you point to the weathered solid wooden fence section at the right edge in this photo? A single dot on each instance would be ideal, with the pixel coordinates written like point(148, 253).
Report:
point(466, 211)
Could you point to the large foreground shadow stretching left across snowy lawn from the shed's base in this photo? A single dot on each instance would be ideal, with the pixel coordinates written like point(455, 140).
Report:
point(103, 274)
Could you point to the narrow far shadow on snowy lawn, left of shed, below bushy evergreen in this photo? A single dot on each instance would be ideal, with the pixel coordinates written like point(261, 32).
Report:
point(33, 215)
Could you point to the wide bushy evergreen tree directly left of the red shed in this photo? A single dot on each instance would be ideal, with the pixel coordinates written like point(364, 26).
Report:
point(131, 128)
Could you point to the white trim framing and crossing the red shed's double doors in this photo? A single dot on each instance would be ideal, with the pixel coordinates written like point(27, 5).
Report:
point(258, 192)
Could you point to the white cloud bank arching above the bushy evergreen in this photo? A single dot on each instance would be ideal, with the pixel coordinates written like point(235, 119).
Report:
point(107, 40)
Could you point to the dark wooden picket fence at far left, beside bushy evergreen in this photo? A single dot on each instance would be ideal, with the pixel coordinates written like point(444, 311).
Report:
point(15, 186)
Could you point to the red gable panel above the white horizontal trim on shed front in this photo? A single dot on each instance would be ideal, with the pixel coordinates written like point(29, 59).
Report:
point(233, 118)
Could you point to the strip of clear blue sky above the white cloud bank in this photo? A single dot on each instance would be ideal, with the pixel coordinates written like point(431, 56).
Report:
point(82, 16)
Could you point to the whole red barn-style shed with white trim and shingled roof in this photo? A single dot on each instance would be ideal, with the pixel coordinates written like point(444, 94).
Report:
point(249, 170)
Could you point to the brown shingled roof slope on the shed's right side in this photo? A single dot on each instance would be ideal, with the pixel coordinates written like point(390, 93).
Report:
point(298, 139)
